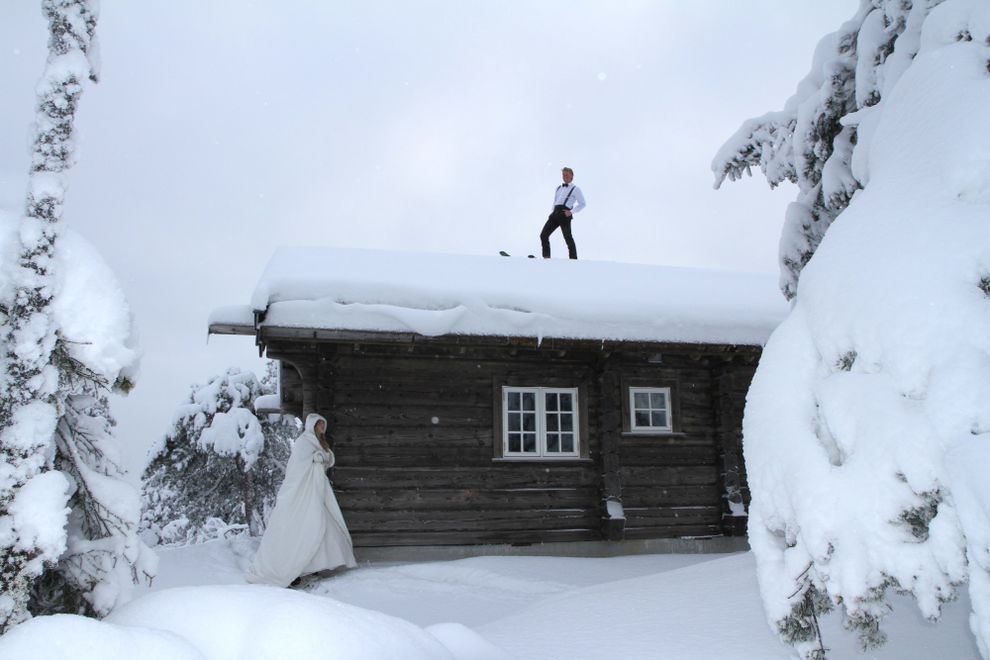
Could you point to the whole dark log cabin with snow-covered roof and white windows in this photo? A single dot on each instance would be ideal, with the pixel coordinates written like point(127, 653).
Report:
point(478, 400)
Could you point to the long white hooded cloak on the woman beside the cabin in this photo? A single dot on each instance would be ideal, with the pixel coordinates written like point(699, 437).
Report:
point(306, 531)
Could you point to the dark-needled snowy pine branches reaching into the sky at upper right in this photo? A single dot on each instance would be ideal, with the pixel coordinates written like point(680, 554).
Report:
point(810, 142)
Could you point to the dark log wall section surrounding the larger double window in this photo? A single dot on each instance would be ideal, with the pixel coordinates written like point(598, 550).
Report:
point(414, 435)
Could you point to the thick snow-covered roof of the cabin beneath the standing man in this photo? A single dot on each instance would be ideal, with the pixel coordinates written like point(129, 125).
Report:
point(444, 294)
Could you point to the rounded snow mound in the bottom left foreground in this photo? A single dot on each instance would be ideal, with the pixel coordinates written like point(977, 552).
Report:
point(241, 623)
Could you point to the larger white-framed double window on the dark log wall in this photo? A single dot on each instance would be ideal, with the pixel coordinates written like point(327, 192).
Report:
point(539, 422)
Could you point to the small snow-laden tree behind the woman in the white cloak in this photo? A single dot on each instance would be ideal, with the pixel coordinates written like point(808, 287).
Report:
point(219, 467)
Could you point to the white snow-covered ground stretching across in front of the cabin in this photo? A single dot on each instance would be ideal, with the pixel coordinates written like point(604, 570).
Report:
point(645, 606)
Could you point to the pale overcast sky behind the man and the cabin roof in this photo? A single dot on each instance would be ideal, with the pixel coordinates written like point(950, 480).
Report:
point(216, 134)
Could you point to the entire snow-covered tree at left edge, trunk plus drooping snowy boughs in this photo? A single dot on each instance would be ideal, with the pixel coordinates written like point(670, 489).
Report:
point(67, 340)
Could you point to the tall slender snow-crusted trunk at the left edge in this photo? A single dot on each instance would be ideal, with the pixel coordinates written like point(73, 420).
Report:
point(29, 408)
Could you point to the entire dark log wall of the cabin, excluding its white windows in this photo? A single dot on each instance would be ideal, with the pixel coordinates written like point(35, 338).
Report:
point(414, 433)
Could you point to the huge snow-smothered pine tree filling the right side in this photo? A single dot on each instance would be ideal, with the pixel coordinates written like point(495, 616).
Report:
point(867, 428)
